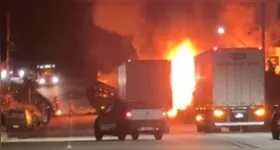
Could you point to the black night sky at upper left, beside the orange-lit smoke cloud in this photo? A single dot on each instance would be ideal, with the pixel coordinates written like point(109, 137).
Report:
point(59, 31)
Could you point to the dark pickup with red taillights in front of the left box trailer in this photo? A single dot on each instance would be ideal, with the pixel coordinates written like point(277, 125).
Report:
point(120, 120)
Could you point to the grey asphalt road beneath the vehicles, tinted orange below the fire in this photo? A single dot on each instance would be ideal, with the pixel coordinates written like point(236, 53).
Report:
point(58, 135)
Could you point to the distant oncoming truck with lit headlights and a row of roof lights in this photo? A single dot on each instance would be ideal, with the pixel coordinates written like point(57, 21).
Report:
point(47, 75)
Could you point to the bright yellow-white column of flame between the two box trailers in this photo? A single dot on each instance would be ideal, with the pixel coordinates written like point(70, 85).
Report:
point(183, 76)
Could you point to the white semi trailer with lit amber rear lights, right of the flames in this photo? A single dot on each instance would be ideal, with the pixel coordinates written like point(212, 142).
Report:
point(229, 89)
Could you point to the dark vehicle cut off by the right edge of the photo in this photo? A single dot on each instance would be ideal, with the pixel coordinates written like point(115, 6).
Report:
point(275, 122)
